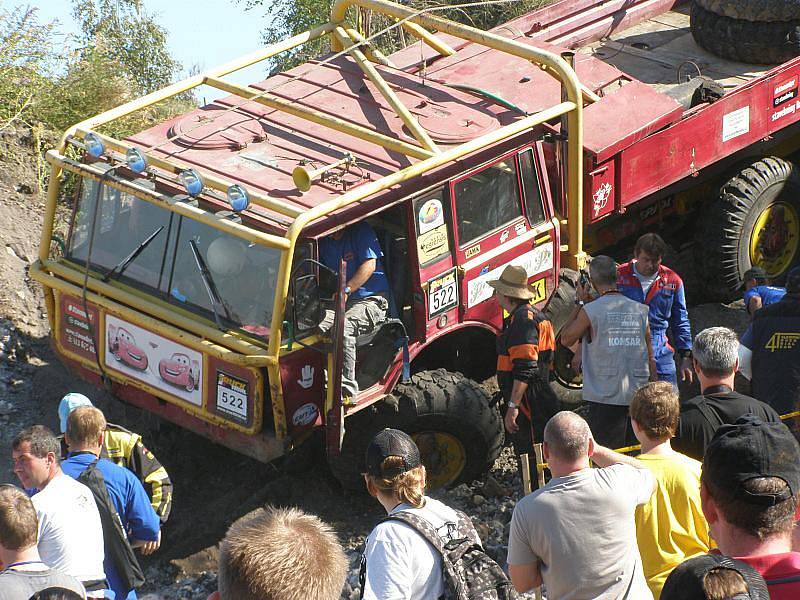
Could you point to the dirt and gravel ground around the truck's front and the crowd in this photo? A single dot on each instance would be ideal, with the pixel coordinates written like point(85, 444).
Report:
point(213, 486)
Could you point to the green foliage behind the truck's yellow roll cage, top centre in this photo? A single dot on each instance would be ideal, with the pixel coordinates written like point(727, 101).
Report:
point(290, 17)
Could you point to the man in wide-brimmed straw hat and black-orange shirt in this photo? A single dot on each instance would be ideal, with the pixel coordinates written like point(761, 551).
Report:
point(524, 355)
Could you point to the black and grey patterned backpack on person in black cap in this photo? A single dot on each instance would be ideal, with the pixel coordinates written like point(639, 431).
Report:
point(468, 572)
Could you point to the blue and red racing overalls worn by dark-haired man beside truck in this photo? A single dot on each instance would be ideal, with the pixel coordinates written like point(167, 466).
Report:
point(669, 319)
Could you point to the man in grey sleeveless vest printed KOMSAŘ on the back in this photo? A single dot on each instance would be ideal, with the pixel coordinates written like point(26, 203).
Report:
point(617, 357)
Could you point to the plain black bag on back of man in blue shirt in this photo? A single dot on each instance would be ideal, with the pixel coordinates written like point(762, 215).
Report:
point(118, 548)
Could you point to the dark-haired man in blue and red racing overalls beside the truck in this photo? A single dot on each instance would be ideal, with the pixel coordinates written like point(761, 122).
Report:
point(646, 280)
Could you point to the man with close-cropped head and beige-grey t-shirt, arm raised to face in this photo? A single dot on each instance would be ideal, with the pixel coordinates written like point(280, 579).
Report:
point(577, 534)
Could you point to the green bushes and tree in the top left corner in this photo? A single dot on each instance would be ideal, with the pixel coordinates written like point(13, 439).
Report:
point(120, 55)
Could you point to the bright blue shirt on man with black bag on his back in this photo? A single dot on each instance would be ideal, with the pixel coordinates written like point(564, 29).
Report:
point(130, 501)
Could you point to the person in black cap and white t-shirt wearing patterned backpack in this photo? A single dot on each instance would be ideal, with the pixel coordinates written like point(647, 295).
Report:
point(423, 549)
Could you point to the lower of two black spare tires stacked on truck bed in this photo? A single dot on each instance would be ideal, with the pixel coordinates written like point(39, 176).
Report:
point(745, 41)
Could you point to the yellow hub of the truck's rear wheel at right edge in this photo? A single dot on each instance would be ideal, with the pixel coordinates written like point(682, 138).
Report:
point(775, 238)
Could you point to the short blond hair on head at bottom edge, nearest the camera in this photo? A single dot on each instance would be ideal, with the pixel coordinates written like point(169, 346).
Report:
point(281, 554)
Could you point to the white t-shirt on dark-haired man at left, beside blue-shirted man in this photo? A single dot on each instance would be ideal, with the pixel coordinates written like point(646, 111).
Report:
point(70, 531)
